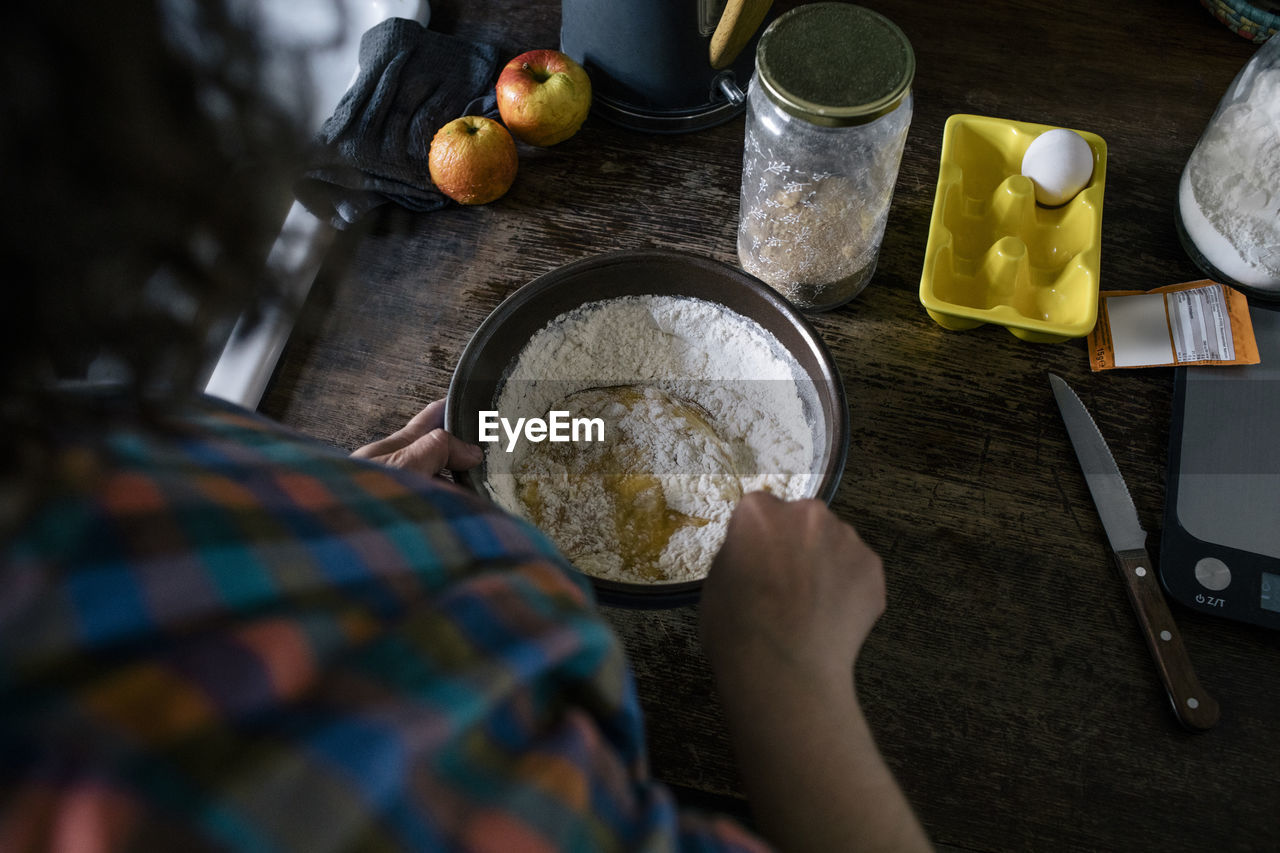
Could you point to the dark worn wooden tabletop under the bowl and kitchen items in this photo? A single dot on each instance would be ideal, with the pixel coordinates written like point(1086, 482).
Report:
point(1008, 683)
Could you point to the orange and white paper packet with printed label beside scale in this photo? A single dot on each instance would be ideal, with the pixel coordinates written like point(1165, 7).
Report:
point(1181, 325)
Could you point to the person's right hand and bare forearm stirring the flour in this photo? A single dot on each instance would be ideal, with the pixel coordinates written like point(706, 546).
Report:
point(789, 601)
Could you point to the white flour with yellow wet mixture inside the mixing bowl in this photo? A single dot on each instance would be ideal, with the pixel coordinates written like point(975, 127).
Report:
point(701, 405)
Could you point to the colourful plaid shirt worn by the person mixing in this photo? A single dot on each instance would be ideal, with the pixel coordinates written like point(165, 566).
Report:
point(220, 636)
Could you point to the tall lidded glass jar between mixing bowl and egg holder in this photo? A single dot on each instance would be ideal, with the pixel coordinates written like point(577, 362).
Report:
point(828, 115)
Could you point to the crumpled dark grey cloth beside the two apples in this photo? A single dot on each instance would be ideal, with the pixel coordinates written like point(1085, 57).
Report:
point(374, 148)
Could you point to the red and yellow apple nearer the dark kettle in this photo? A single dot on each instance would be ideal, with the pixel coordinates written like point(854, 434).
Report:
point(543, 97)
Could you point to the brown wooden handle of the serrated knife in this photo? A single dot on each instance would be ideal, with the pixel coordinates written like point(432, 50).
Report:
point(1195, 708)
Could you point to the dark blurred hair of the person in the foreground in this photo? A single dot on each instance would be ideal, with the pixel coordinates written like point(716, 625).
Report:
point(145, 170)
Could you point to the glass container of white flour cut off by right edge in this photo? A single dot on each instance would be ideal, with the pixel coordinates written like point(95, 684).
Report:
point(1229, 194)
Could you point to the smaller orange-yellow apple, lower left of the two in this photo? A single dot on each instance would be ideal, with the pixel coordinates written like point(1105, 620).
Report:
point(473, 161)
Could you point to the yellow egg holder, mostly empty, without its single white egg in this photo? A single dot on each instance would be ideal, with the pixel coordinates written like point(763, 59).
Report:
point(996, 257)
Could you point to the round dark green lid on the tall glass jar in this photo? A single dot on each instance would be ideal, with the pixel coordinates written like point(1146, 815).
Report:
point(835, 65)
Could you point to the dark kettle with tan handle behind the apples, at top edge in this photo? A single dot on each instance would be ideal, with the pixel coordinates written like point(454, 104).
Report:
point(665, 66)
